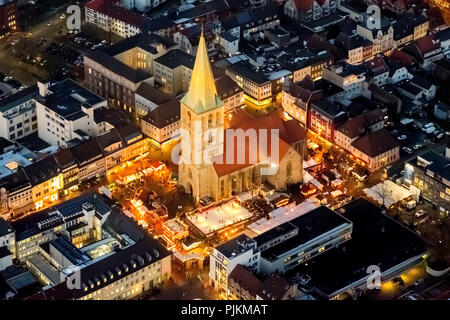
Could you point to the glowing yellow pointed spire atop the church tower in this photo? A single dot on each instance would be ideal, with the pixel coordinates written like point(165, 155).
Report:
point(202, 95)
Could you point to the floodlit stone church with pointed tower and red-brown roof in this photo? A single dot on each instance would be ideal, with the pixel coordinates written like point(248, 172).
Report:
point(219, 164)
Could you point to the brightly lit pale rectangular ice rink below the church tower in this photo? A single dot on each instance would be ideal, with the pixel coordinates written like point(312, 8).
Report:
point(219, 217)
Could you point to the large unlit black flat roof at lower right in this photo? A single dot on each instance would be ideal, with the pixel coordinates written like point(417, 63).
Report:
point(376, 240)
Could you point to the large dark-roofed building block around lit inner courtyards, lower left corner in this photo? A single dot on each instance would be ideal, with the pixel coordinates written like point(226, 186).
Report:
point(72, 238)
